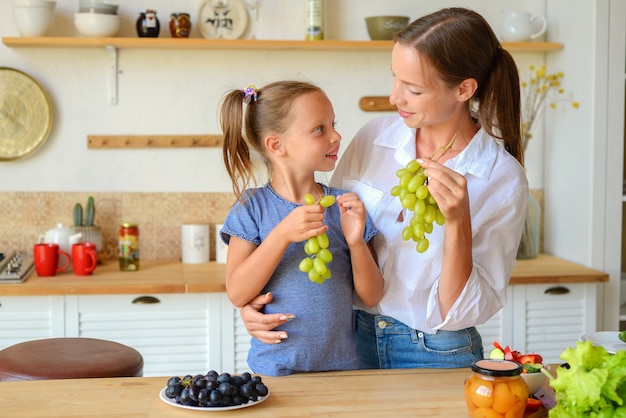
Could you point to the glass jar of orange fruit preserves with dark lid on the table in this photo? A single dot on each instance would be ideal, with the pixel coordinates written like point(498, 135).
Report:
point(496, 388)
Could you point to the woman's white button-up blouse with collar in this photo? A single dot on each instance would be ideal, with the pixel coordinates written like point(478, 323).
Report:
point(498, 193)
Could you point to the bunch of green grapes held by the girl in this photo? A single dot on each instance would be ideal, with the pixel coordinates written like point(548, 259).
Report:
point(317, 248)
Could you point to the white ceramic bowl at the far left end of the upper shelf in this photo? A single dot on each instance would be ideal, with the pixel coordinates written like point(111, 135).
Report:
point(33, 17)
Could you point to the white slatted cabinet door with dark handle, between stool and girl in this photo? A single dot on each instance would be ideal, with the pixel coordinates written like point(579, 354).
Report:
point(176, 334)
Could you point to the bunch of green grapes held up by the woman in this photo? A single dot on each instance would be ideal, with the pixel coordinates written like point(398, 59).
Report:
point(414, 196)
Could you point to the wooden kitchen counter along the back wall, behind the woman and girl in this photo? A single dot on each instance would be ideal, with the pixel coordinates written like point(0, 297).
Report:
point(171, 276)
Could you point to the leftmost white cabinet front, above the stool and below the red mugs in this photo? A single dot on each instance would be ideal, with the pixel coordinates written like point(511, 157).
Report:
point(25, 318)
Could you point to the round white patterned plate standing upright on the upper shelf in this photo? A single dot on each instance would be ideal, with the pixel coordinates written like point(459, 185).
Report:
point(232, 25)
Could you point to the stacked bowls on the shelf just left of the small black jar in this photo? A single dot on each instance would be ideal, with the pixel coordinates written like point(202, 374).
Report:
point(97, 18)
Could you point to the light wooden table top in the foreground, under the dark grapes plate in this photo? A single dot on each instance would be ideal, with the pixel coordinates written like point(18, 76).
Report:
point(361, 393)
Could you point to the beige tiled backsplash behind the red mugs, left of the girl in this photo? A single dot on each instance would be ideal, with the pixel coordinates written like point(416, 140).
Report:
point(26, 215)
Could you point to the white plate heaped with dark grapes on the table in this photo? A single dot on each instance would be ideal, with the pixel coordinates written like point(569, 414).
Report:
point(215, 391)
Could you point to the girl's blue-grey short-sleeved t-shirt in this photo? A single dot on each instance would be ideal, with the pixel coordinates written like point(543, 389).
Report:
point(321, 337)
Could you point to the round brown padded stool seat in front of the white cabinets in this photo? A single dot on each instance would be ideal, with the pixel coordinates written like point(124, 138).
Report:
point(69, 358)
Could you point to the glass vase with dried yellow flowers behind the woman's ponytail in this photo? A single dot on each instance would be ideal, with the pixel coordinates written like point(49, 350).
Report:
point(537, 92)
